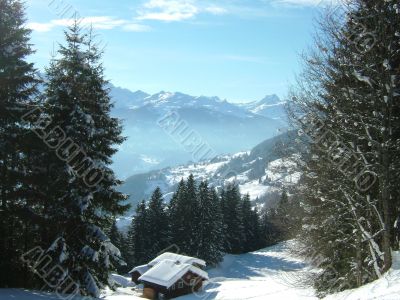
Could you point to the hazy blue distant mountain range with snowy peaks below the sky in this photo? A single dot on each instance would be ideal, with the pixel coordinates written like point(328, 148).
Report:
point(225, 127)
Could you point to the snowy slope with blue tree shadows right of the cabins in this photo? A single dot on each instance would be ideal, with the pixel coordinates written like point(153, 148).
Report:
point(264, 274)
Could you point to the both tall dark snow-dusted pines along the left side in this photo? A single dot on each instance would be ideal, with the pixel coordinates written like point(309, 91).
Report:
point(57, 192)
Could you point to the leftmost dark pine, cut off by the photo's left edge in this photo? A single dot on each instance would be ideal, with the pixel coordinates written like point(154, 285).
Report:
point(19, 207)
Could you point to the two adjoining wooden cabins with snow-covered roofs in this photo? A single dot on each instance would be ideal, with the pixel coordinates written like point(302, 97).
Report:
point(170, 275)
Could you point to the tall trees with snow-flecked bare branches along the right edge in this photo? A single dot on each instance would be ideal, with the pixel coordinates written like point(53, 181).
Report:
point(347, 105)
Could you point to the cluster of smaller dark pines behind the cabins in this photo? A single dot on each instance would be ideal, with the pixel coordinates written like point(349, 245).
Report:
point(200, 222)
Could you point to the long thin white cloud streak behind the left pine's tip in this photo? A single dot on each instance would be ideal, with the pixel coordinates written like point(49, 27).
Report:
point(98, 22)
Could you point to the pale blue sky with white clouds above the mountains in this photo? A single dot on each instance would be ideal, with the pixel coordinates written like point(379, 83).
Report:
point(239, 50)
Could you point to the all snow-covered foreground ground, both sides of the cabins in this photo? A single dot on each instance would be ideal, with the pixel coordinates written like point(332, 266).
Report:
point(267, 274)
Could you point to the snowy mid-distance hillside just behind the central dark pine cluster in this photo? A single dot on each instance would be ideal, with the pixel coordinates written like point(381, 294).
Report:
point(261, 172)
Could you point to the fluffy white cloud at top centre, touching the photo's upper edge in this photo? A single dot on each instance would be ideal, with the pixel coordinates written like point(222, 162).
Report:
point(176, 10)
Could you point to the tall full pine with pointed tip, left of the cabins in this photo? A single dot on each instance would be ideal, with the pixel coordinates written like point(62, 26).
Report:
point(83, 135)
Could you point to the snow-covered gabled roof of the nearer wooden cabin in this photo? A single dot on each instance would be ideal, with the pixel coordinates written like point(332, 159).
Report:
point(166, 272)
